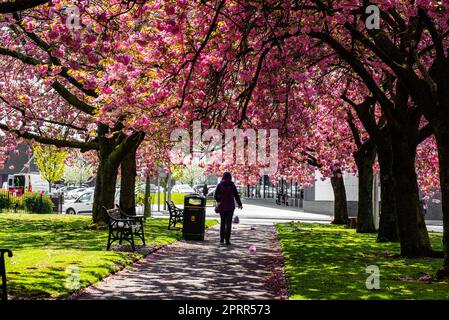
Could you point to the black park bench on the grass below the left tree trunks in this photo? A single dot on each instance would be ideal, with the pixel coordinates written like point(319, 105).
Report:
point(123, 227)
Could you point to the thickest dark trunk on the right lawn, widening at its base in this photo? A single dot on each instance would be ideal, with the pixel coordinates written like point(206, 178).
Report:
point(413, 234)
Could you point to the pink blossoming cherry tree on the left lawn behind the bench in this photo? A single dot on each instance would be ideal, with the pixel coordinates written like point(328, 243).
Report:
point(91, 87)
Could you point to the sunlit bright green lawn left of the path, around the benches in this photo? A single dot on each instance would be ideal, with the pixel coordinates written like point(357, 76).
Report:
point(47, 246)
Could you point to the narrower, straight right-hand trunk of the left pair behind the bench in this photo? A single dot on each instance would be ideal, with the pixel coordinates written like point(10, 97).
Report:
point(128, 183)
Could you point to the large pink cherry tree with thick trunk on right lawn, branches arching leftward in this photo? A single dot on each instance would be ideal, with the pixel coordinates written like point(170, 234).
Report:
point(271, 39)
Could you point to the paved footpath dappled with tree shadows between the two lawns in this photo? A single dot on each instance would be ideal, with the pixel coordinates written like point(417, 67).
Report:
point(203, 270)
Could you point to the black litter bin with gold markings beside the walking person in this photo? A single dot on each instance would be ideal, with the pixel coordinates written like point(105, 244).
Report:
point(194, 220)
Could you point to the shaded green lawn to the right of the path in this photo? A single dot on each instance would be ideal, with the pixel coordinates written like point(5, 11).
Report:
point(329, 262)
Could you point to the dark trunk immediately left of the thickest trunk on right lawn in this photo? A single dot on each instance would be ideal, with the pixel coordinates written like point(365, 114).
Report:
point(388, 222)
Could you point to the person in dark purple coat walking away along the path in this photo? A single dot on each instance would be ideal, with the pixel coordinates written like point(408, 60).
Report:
point(225, 194)
